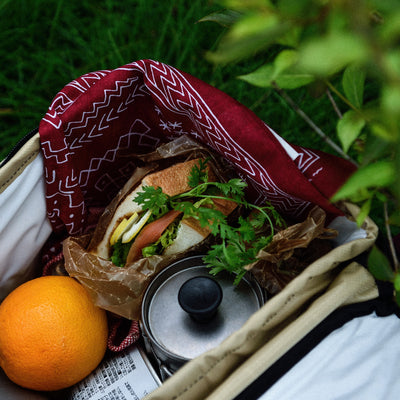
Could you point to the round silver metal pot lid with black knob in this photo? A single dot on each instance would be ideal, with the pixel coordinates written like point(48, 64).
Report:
point(187, 334)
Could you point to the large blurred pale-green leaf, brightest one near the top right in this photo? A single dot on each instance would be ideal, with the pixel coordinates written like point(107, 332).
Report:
point(327, 55)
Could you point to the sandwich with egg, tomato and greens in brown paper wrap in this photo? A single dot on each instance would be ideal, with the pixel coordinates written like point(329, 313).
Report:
point(149, 220)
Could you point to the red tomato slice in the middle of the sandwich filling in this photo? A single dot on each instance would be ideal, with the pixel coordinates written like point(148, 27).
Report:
point(150, 234)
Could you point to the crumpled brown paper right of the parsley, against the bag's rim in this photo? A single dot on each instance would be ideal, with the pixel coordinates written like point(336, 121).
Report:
point(291, 250)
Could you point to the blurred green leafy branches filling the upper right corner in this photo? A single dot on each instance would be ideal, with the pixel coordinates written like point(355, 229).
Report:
point(353, 44)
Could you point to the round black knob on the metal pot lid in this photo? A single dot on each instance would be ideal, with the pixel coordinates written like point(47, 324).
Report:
point(200, 297)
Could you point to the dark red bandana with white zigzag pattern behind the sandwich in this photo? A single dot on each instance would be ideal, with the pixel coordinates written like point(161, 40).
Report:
point(98, 120)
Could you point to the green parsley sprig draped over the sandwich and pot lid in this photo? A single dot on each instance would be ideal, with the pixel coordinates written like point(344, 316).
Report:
point(238, 243)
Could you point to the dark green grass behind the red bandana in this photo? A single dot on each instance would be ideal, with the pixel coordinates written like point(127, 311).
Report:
point(46, 44)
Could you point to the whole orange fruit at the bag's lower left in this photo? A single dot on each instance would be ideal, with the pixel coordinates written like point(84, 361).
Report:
point(51, 333)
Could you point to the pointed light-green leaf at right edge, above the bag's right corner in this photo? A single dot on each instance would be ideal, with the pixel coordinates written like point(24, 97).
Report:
point(378, 174)
